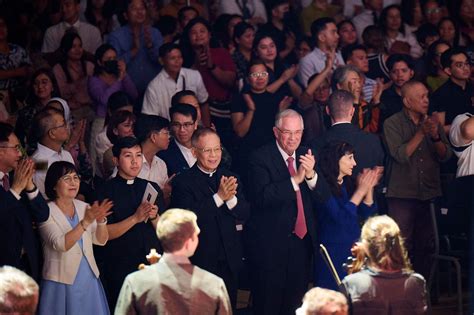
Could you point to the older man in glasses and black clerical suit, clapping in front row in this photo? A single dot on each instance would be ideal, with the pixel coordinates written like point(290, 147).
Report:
point(215, 195)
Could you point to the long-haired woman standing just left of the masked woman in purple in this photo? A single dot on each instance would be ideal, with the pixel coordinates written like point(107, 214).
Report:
point(72, 74)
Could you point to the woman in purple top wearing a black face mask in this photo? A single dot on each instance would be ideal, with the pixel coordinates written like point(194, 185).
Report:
point(110, 76)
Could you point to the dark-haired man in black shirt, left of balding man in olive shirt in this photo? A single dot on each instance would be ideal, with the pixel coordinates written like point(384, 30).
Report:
point(401, 71)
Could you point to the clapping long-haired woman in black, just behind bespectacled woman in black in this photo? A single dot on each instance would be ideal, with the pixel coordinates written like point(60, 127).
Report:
point(281, 79)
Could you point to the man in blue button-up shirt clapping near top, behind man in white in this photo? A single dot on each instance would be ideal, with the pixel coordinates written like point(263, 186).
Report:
point(137, 43)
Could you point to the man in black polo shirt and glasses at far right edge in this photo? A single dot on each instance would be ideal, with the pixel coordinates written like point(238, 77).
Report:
point(454, 97)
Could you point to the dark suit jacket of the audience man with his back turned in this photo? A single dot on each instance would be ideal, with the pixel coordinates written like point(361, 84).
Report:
point(367, 146)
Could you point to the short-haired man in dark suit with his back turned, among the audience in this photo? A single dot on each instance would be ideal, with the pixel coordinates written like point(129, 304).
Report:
point(368, 147)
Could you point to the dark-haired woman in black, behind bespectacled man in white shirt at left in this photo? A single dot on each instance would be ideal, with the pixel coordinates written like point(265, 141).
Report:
point(43, 88)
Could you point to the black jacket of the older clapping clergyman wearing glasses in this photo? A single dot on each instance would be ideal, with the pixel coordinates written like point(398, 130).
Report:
point(218, 225)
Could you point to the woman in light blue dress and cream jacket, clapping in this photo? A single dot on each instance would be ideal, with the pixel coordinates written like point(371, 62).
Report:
point(71, 282)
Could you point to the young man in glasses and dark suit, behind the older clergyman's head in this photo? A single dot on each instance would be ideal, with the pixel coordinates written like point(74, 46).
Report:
point(178, 157)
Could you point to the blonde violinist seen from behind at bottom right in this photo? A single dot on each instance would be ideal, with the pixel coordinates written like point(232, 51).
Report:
point(382, 280)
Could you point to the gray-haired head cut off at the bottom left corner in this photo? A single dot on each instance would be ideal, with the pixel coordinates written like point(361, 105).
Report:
point(18, 291)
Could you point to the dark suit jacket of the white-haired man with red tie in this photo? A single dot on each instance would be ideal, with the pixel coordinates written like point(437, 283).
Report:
point(274, 207)
